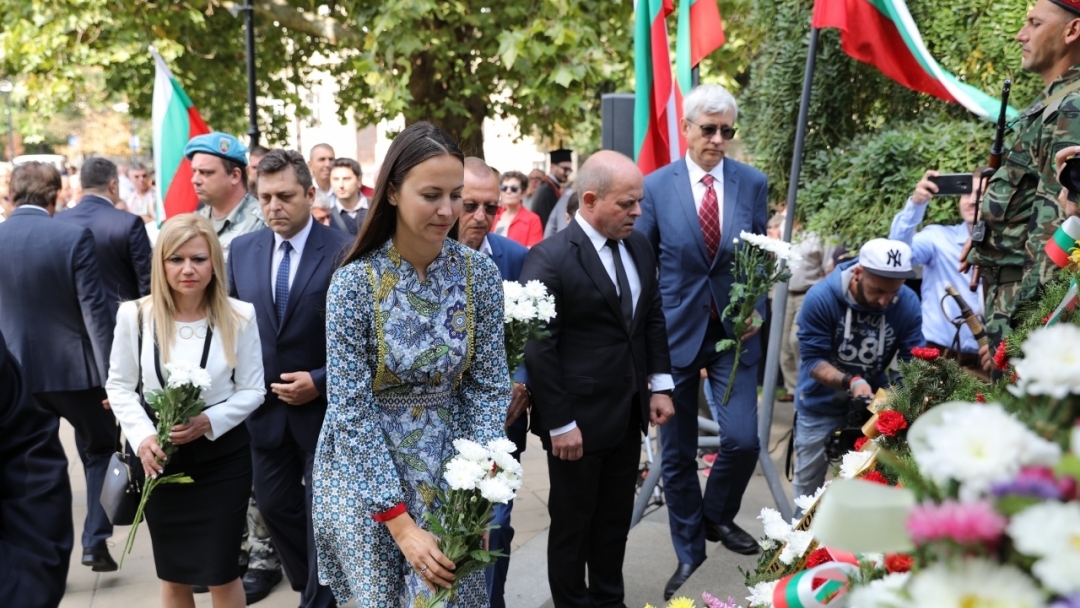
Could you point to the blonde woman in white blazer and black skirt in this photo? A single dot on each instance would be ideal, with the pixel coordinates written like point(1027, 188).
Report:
point(195, 529)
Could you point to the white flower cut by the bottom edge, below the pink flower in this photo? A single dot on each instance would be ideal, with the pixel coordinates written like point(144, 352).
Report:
point(974, 583)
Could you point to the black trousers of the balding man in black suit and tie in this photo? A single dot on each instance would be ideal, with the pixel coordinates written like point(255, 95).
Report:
point(591, 504)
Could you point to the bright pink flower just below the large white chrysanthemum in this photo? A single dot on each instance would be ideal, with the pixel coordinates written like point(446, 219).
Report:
point(966, 523)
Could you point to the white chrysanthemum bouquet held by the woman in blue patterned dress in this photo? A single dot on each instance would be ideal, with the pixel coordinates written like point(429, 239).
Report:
point(478, 478)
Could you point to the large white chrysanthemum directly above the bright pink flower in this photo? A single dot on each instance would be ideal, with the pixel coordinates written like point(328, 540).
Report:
point(978, 445)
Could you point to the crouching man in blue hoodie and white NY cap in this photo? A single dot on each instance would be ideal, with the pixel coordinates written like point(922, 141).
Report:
point(850, 328)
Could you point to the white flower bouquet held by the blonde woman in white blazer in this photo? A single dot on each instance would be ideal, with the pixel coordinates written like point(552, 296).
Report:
point(180, 401)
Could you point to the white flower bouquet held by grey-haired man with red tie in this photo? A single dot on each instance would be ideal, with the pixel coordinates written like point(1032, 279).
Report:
point(758, 268)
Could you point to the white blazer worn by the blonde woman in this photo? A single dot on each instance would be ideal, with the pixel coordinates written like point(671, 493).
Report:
point(237, 391)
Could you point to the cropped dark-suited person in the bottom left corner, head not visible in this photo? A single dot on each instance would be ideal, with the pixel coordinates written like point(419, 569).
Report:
point(36, 510)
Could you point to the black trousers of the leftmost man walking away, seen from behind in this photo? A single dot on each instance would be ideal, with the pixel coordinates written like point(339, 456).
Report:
point(96, 438)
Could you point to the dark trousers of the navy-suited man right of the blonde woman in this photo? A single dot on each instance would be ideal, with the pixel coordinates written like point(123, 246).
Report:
point(286, 505)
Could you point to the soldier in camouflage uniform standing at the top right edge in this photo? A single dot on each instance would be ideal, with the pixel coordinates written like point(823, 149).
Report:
point(1021, 211)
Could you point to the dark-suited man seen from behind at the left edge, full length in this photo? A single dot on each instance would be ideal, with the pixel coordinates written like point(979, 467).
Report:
point(59, 326)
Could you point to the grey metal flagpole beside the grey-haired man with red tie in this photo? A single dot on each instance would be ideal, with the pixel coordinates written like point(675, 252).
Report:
point(780, 296)
